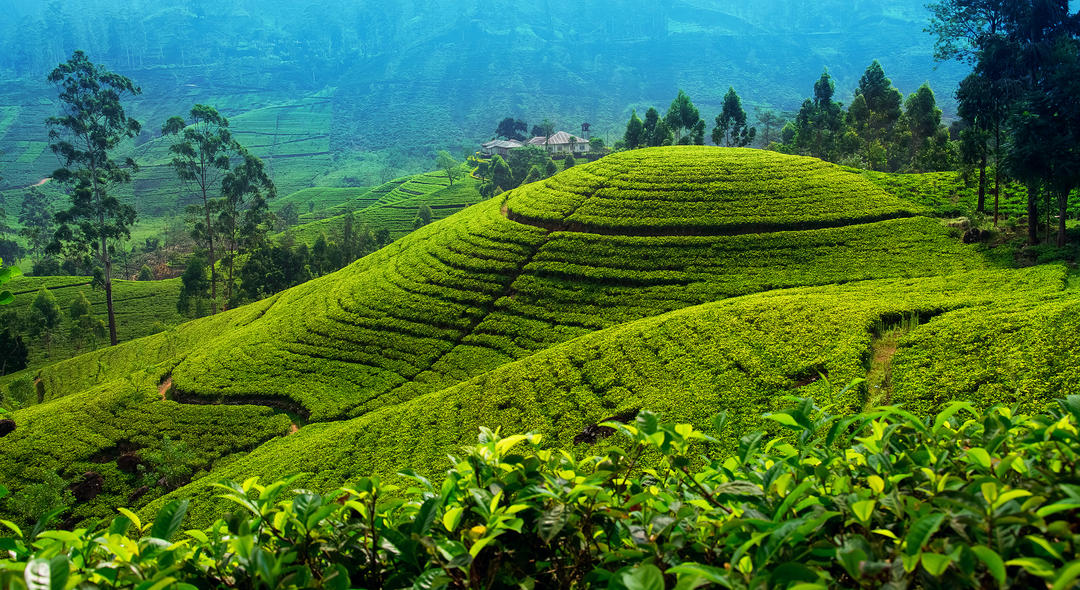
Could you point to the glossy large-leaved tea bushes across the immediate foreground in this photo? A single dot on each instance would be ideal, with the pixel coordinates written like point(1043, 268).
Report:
point(883, 500)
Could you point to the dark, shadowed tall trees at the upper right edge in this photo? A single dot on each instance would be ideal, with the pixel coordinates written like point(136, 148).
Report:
point(1018, 106)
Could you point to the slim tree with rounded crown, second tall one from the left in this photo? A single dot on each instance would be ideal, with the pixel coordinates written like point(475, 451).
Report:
point(202, 154)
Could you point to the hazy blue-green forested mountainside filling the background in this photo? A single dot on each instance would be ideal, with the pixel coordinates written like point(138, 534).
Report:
point(387, 86)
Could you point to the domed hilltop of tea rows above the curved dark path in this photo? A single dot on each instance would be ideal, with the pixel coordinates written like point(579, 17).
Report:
point(719, 192)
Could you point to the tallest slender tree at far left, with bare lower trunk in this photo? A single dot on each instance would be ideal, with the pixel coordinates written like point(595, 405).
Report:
point(92, 125)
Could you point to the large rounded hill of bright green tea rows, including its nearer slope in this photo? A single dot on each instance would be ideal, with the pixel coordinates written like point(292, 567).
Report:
point(630, 283)
